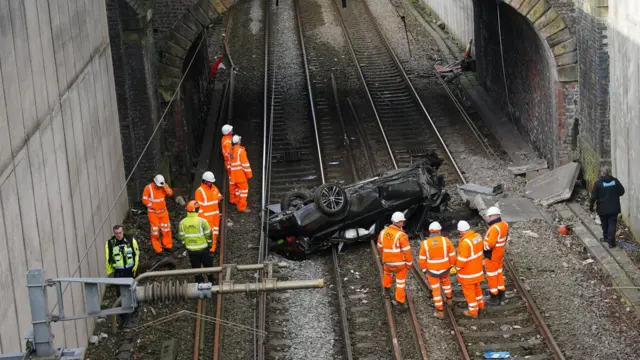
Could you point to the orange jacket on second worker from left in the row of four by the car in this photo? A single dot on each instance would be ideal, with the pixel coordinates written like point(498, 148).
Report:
point(437, 255)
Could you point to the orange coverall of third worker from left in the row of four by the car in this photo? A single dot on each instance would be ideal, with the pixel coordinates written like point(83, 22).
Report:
point(469, 267)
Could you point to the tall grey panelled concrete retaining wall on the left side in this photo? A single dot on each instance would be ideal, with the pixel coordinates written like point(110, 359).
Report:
point(60, 155)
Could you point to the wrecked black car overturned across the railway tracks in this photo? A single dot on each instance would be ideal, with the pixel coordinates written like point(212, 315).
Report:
point(333, 214)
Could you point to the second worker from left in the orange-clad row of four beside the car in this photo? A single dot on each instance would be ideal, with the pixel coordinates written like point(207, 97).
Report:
point(437, 255)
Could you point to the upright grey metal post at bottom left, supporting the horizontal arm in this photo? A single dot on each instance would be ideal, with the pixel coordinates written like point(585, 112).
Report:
point(42, 337)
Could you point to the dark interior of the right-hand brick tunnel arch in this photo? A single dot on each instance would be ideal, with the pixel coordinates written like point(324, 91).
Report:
point(529, 68)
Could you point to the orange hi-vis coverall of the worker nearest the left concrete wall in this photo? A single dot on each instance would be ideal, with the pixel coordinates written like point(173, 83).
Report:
point(153, 198)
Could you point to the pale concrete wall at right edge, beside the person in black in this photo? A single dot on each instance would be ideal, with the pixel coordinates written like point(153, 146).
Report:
point(624, 52)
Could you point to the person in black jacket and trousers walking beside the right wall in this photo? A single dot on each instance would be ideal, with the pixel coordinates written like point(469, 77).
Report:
point(606, 194)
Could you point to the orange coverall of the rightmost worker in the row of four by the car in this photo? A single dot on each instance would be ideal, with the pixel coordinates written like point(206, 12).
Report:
point(494, 243)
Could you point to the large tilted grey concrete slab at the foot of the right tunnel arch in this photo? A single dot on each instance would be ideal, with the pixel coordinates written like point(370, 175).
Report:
point(554, 186)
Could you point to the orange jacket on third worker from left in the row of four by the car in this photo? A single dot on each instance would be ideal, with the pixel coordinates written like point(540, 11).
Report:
point(469, 262)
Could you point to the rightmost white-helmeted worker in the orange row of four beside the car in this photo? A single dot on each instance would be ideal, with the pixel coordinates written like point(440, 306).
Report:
point(494, 243)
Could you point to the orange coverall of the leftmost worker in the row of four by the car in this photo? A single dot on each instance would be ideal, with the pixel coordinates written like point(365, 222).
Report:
point(393, 245)
